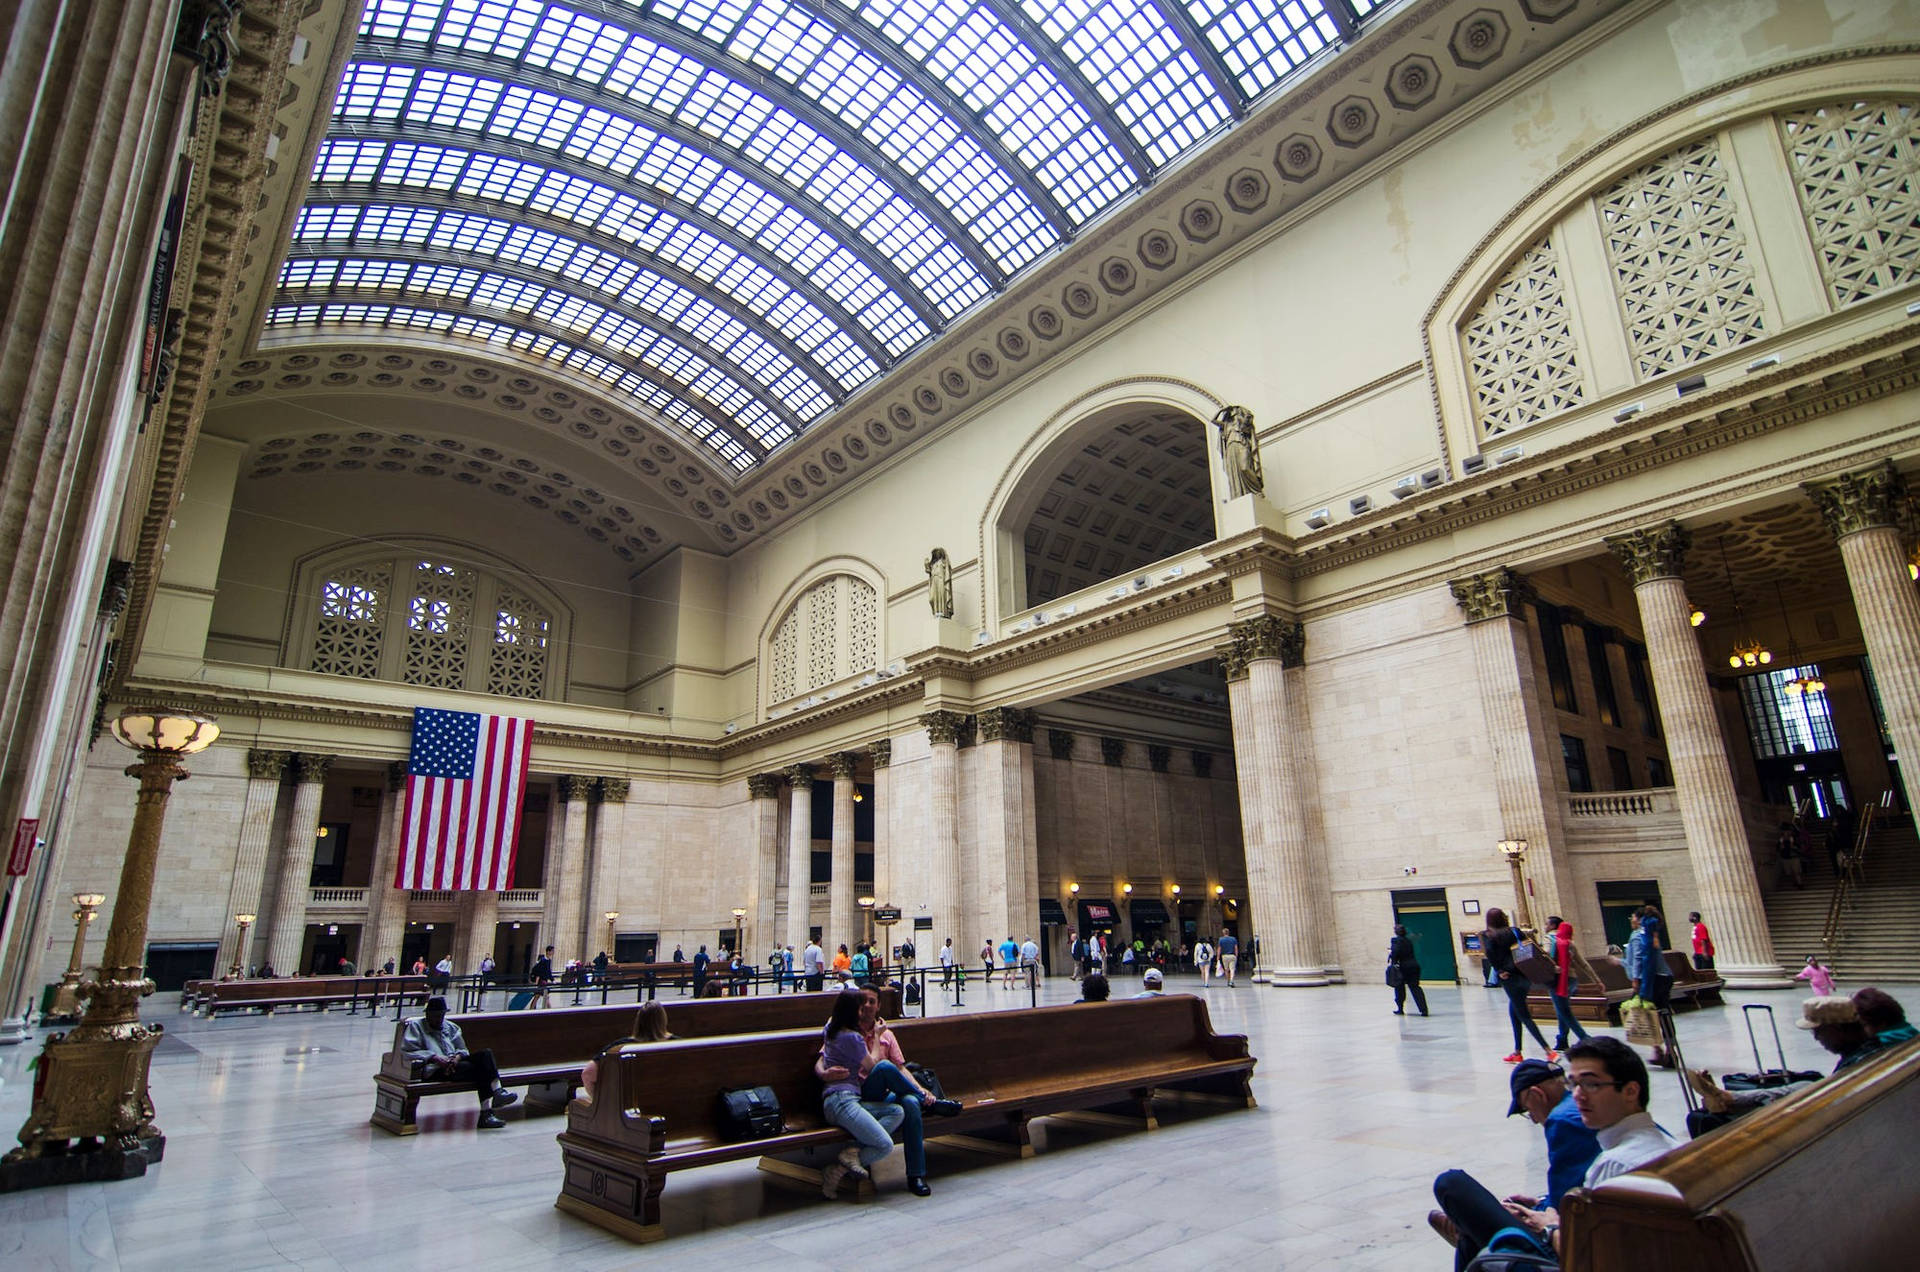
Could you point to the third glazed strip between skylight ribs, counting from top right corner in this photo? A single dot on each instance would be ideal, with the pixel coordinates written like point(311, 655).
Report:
point(1138, 62)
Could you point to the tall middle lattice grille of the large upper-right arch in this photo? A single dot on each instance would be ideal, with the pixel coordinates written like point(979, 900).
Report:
point(1679, 258)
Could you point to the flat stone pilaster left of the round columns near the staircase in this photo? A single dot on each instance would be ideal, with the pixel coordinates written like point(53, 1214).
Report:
point(1518, 731)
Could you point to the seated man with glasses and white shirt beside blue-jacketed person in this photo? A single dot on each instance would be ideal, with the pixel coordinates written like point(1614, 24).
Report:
point(1610, 1089)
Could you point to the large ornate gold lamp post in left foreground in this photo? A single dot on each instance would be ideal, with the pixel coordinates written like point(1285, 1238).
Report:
point(93, 1081)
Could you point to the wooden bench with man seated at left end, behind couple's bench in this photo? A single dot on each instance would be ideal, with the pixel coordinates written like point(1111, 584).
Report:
point(546, 1050)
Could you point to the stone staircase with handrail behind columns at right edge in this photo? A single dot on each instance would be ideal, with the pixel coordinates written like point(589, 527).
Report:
point(1881, 929)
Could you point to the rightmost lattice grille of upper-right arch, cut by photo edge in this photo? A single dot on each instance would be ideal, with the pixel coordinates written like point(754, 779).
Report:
point(1858, 168)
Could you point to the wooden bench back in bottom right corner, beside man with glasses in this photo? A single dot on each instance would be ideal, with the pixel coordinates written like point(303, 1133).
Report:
point(1815, 1181)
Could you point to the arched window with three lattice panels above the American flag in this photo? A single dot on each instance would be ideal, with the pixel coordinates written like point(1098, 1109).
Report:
point(423, 618)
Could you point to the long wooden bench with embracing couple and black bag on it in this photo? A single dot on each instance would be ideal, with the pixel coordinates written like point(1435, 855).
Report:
point(656, 1110)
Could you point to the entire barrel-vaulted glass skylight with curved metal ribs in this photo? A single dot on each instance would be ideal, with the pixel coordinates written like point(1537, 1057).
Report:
point(738, 212)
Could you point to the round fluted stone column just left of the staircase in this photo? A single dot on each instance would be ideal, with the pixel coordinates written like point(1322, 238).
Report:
point(1710, 810)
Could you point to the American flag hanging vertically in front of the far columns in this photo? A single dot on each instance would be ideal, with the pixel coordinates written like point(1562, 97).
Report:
point(466, 785)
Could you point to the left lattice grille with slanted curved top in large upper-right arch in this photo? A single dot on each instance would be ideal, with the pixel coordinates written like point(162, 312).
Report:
point(1522, 355)
